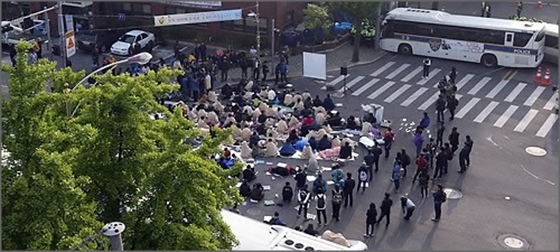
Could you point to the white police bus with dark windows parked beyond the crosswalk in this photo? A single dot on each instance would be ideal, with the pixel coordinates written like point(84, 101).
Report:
point(489, 41)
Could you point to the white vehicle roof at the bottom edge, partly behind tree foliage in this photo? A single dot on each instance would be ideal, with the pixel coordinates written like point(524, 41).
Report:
point(255, 235)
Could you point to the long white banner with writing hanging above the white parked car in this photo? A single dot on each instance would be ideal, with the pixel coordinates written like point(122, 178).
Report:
point(198, 17)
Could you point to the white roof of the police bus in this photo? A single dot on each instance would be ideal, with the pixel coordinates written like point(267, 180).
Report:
point(440, 17)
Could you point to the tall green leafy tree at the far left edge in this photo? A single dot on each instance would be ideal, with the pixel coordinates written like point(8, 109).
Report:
point(43, 205)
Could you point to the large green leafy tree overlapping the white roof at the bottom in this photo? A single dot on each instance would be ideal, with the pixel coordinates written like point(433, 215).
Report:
point(168, 194)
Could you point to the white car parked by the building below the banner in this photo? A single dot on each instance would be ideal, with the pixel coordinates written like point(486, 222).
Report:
point(129, 42)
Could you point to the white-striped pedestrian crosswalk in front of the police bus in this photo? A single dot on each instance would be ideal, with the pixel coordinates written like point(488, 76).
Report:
point(519, 106)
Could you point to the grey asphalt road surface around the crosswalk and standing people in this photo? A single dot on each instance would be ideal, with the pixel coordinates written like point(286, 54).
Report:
point(500, 166)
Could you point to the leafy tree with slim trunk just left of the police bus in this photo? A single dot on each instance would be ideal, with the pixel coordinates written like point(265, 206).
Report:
point(358, 11)
